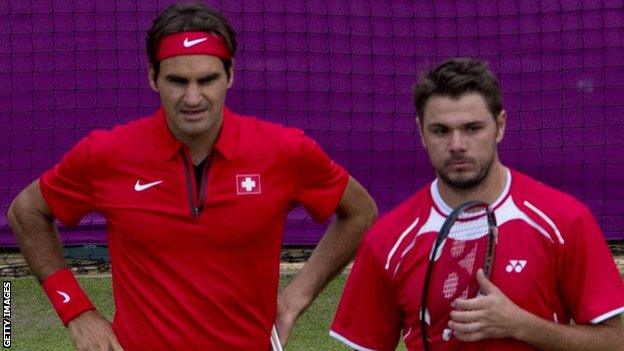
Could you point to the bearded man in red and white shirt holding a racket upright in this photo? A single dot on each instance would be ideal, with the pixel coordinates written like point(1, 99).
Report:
point(551, 267)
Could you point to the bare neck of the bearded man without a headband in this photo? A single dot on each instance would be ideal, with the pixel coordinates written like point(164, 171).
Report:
point(488, 191)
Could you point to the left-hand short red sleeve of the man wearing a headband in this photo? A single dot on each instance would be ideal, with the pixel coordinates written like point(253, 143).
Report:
point(68, 187)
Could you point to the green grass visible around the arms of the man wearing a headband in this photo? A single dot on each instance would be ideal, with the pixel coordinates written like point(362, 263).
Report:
point(35, 325)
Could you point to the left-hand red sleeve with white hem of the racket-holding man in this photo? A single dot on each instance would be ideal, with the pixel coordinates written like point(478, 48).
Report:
point(367, 316)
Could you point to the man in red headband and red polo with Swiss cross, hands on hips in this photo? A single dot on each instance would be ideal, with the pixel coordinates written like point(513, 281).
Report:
point(195, 199)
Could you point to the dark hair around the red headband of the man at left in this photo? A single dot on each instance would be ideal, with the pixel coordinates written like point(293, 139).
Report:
point(184, 17)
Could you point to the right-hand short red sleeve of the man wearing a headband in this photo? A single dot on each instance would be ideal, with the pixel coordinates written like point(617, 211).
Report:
point(319, 182)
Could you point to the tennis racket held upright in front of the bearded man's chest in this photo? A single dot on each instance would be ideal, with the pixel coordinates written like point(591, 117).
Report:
point(465, 243)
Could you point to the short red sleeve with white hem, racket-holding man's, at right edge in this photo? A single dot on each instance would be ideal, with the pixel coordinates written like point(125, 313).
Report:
point(592, 286)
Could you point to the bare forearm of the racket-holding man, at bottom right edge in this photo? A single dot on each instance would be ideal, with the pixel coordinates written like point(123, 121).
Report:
point(546, 335)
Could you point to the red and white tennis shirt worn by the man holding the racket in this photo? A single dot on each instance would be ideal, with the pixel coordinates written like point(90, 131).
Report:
point(551, 260)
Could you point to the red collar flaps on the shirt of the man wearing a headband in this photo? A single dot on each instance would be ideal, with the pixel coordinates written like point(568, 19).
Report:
point(169, 145)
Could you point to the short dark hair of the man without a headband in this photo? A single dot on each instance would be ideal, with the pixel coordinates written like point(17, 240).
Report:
point(456, 77)
